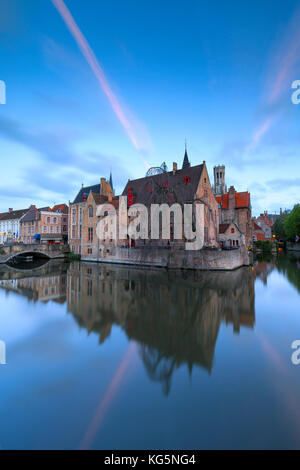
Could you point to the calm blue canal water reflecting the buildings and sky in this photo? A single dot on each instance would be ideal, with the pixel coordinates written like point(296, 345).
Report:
point(104, 357)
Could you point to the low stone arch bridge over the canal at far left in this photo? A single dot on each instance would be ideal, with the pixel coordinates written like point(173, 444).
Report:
point(7, 253)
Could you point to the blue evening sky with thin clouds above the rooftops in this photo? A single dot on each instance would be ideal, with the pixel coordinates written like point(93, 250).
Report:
point(217, 74)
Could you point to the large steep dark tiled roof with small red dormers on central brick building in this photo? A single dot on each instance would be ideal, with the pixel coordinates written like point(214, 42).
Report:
point(166, 187)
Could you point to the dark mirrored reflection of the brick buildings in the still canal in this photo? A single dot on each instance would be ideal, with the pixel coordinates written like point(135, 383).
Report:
point(174, 317)
